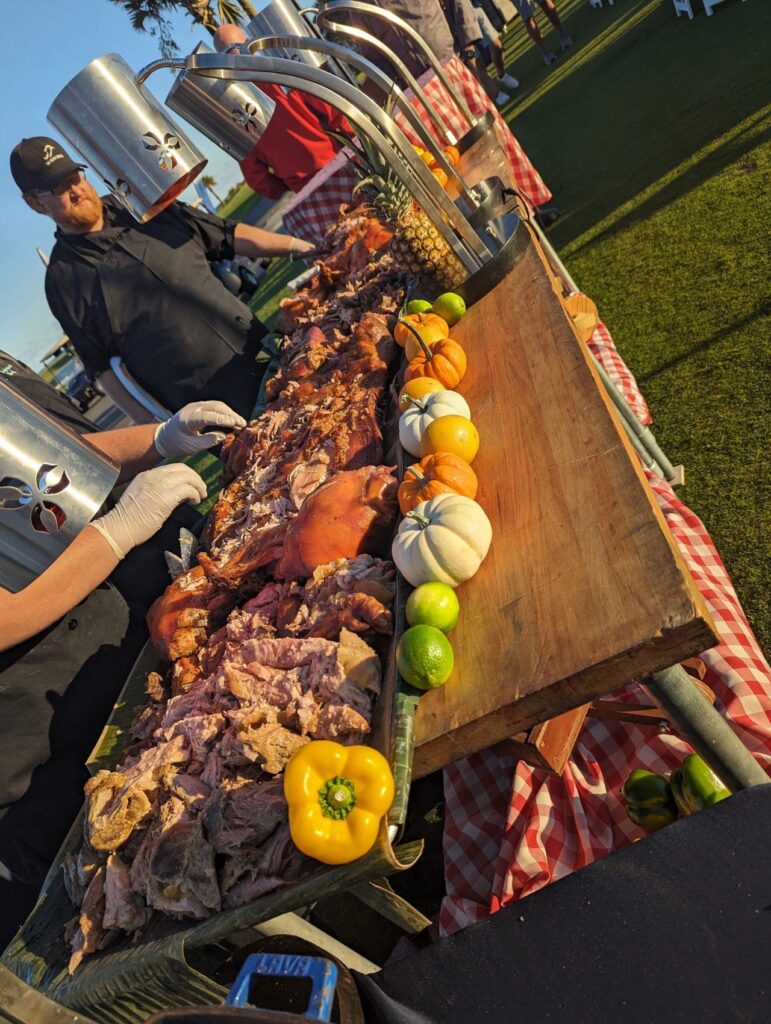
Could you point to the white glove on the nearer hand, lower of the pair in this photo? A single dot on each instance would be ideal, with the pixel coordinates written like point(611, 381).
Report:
point(147, 504)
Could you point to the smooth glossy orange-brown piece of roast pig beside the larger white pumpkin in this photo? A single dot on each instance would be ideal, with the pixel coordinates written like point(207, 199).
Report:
point(353, 514)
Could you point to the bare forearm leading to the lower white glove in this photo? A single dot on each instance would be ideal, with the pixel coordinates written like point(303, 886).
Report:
point(87, 564)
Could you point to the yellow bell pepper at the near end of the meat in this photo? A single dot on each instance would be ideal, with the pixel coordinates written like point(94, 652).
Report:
point(337, 796)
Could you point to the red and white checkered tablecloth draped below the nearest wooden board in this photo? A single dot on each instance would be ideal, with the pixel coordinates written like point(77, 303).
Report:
point(511, 830)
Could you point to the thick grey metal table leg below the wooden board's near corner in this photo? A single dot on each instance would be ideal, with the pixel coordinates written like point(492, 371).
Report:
point(706, 730)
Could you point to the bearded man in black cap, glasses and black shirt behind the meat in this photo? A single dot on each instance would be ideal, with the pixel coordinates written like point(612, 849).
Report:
point(146, 293)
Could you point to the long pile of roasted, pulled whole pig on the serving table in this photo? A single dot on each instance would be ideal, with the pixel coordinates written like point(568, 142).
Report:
point(270, 637)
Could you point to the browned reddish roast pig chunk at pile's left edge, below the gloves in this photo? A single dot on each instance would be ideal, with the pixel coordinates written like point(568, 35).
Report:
point(182, 620)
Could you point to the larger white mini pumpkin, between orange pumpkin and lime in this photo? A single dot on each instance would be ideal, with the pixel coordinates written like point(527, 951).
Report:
point(445, 540)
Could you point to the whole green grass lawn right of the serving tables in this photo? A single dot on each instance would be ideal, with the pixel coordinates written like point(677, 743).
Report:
point(653, 132)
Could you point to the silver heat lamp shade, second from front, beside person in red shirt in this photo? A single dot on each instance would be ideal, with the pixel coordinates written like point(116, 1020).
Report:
point(233, 115)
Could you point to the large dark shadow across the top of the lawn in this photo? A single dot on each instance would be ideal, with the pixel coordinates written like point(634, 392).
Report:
point(634, 100)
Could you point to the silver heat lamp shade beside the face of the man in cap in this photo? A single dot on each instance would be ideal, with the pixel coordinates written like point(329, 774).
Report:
point(126, 137)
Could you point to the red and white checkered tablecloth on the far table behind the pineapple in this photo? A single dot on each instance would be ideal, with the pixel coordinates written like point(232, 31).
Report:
point(316, 207)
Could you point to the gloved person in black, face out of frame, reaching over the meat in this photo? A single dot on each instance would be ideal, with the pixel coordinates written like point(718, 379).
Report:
point(70, 638)
